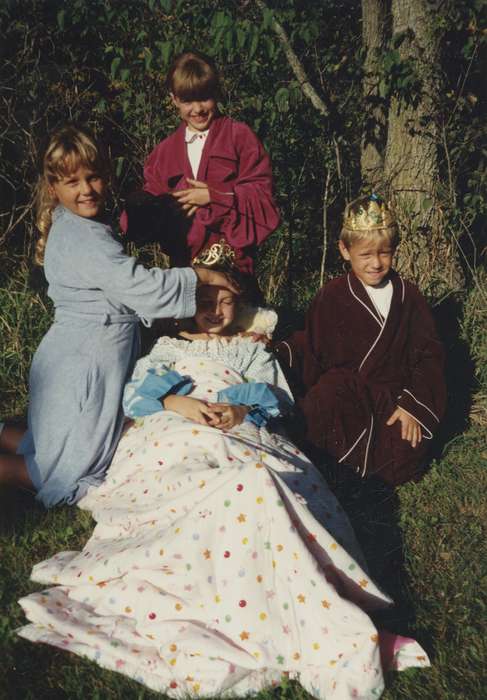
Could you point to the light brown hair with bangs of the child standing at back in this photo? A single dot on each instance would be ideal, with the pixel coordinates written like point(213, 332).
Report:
point(193, 76)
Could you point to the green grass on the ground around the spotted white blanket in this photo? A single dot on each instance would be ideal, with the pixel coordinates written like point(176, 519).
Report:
point(426, 545)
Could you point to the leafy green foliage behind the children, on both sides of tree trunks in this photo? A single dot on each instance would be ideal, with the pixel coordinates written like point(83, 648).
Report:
point(104, 63)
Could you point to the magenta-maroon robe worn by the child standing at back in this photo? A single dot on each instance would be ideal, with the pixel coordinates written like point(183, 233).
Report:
point(238, 172)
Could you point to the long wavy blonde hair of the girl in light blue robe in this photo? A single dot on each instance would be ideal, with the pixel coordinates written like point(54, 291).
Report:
point(69, 148)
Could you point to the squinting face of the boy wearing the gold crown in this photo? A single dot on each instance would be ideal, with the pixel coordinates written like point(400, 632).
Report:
point(370, 259)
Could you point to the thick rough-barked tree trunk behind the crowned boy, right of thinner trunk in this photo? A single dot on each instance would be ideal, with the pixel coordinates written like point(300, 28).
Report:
point(411, 170)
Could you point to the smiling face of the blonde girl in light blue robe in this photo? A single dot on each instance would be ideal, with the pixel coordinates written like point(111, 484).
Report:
point(82, 192)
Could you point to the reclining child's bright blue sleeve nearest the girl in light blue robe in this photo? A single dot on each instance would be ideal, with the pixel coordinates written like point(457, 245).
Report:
point(146, 398)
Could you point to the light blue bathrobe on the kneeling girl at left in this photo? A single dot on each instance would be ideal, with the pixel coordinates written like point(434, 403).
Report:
point(80, 368)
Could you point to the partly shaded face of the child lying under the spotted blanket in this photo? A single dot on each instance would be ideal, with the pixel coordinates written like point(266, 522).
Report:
point(215, 311)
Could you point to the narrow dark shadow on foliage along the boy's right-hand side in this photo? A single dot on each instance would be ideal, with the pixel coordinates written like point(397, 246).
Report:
point(459, 374)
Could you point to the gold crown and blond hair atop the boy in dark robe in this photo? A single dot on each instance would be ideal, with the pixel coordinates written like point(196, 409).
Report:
point(366, 218)
